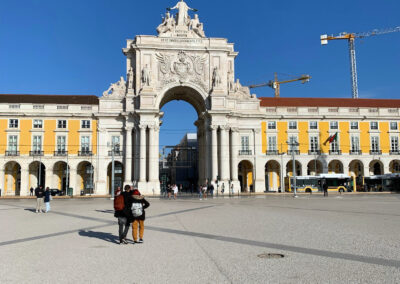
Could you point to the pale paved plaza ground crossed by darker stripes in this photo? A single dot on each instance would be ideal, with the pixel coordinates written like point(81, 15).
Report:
point(352, 238)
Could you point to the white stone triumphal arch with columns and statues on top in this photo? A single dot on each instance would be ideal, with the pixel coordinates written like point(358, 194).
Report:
point(182, 63)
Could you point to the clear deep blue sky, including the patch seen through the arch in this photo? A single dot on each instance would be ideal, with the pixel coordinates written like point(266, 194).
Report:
point(74, 47)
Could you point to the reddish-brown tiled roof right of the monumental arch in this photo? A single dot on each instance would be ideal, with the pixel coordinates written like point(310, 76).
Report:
point(328, 102)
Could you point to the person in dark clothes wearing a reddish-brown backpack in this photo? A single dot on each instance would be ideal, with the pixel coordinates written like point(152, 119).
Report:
point(120, 202)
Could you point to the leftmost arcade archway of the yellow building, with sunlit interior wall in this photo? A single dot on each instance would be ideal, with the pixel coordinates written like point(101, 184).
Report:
point(12, 179)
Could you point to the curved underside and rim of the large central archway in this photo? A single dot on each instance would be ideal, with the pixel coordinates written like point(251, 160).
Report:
point(187, 92)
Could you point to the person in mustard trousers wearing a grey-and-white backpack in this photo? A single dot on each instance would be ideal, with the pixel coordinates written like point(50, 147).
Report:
point(139, 204)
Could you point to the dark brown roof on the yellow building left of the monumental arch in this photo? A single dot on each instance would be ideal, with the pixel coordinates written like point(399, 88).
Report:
point(49, 99)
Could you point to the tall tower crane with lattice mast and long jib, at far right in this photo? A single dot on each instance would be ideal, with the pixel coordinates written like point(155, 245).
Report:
point(350, 37)
